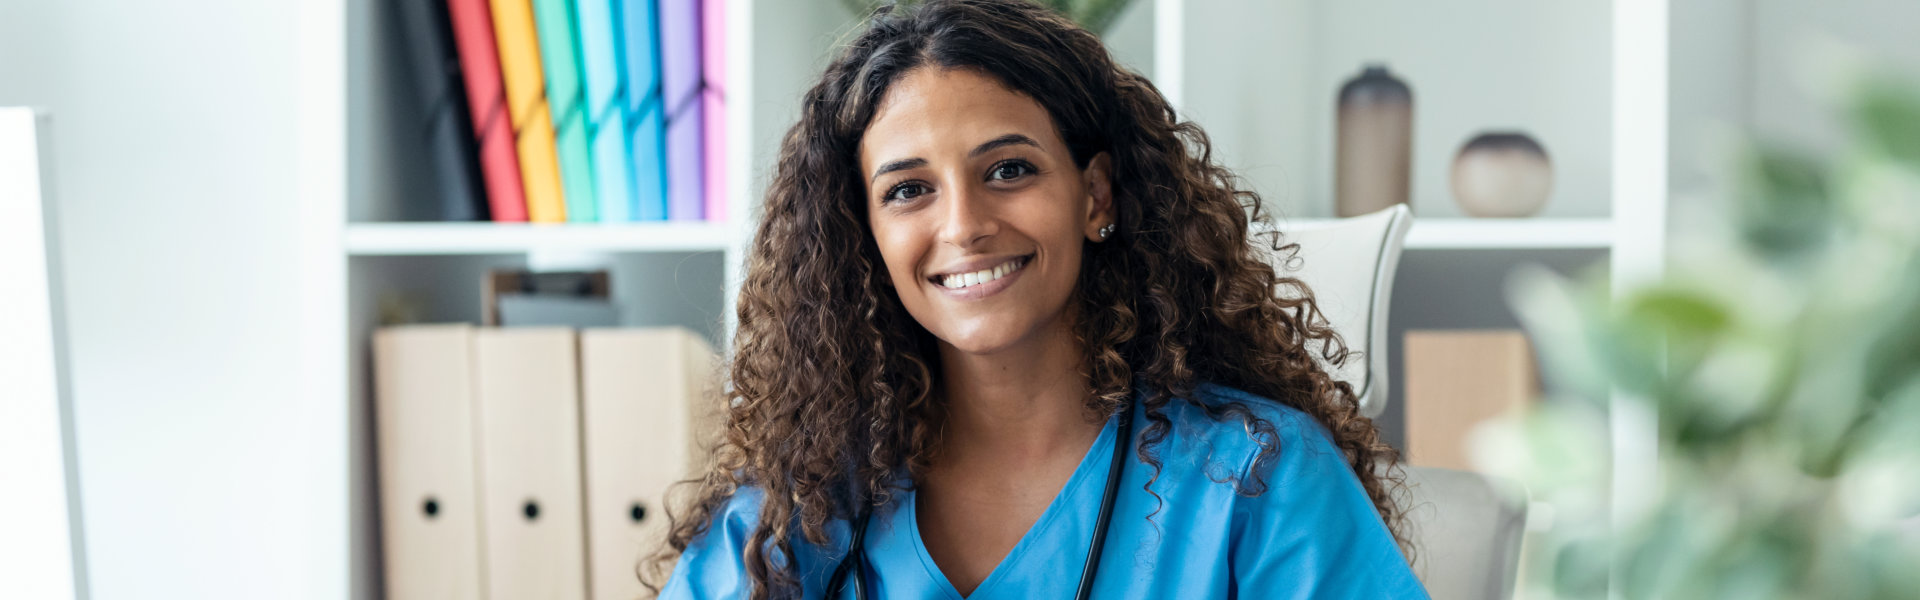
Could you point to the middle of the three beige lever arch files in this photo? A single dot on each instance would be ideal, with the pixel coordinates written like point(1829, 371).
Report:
point(529, 395)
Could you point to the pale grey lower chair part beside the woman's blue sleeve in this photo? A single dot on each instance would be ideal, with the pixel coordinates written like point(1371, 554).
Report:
point(1466, 532)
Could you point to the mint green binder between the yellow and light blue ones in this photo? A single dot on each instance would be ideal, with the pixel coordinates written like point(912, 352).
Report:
point(560, 51)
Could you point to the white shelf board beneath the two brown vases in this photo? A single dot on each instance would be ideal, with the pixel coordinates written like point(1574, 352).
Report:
point(1499, 234)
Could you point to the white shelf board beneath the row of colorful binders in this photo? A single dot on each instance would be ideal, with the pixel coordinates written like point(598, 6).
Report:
point(448, 239)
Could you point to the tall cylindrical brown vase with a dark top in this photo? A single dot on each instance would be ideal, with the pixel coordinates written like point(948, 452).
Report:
point(1374, 143)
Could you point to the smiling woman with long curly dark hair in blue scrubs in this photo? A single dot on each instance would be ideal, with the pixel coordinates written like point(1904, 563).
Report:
point(988, 253)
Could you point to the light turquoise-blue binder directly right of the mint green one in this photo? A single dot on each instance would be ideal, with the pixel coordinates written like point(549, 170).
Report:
point(606, 109)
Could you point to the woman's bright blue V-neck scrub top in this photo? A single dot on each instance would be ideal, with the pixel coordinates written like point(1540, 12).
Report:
point(1314, 534)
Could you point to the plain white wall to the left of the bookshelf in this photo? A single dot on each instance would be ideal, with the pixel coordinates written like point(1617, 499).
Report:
point(204, 470)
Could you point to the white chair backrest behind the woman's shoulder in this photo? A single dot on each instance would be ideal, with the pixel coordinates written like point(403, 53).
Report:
point(1351, 266)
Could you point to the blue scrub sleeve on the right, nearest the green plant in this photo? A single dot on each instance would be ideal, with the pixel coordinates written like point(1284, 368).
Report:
point(1314, 534)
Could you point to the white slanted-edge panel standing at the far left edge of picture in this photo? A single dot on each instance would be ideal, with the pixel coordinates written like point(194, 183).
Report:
point(41, 507)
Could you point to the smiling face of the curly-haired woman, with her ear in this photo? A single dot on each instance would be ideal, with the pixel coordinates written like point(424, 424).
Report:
point(978, 209)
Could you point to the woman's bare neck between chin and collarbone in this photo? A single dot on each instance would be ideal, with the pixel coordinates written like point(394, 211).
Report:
point(1019, 405)
